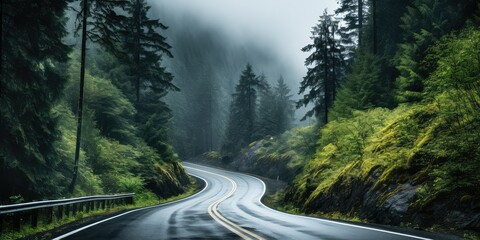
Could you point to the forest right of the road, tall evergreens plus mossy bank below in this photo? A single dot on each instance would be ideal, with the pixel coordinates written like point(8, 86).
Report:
point(395, 89)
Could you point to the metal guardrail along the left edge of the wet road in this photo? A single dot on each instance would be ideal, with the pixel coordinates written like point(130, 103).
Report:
point(14, 215)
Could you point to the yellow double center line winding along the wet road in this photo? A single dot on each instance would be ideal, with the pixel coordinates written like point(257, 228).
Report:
point(212, 210)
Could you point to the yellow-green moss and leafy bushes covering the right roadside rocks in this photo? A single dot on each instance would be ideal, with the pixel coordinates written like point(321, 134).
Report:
point(431, 146)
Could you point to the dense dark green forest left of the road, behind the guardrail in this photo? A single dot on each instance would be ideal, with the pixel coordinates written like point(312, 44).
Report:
point(82, 101)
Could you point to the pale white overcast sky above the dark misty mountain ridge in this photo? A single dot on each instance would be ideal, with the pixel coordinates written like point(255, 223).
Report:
point(280, 25)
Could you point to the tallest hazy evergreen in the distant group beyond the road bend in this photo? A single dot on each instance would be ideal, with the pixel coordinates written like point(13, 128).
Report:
point(241, 125)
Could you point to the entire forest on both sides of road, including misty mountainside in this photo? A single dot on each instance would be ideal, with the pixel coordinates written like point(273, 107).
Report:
point(103, 97)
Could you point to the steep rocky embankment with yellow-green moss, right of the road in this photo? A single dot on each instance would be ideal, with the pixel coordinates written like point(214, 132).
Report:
point(410, 167)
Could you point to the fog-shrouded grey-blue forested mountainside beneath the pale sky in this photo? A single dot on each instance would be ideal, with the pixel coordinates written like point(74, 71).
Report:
point(207, 67)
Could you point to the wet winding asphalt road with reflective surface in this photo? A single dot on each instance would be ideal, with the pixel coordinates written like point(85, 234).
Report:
point(228, 207)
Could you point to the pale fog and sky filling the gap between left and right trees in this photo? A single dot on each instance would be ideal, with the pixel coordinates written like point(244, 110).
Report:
point(212, 43)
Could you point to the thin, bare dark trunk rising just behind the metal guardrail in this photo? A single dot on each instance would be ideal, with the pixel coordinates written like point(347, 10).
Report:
point(80, 97)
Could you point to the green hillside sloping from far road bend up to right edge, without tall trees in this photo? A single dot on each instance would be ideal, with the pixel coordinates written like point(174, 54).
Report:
point(415, 165)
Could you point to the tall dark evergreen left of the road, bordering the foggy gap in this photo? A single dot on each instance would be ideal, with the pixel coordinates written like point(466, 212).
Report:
point(144, 47)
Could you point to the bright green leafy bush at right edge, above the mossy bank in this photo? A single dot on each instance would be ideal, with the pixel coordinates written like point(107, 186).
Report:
point(457, 77)
